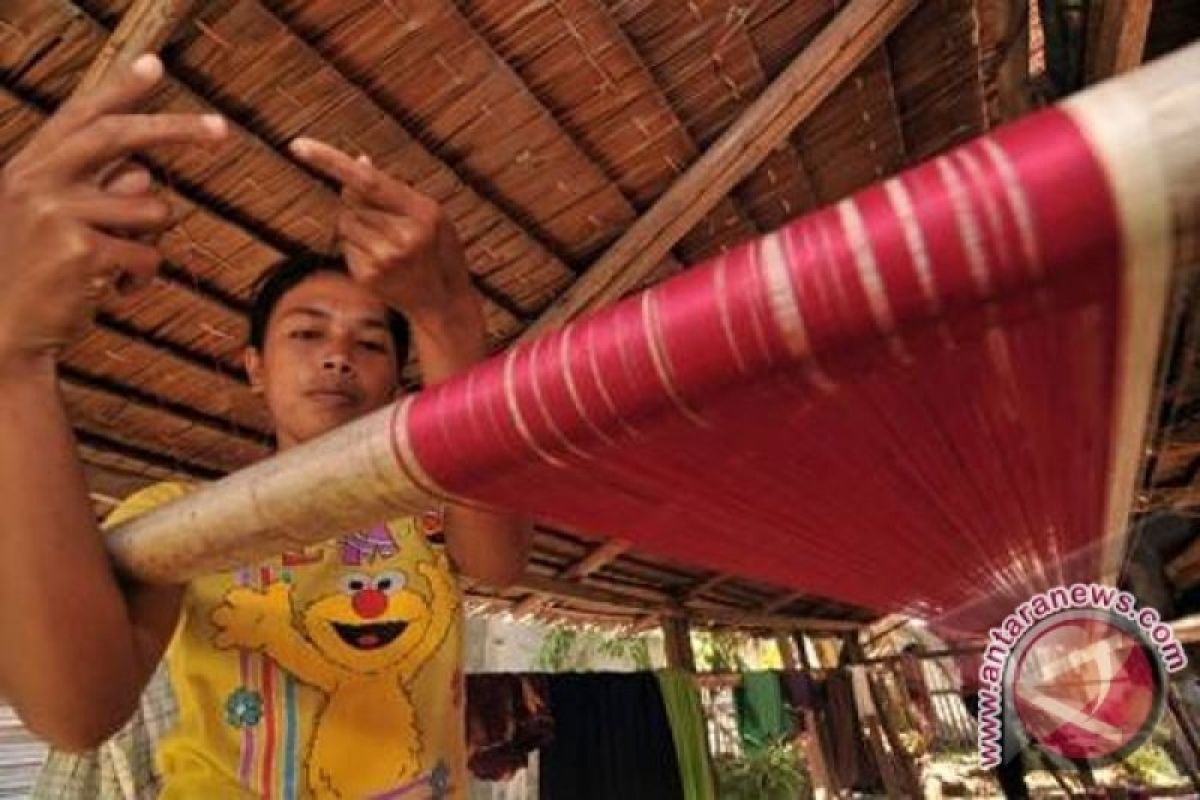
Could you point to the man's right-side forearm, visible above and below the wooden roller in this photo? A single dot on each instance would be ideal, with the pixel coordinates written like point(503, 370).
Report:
point(485, 546)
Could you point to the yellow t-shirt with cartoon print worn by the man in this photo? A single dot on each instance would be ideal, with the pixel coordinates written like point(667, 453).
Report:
point(333, 672)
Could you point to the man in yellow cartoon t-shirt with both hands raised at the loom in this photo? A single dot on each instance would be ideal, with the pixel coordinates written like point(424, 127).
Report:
point(329, 672)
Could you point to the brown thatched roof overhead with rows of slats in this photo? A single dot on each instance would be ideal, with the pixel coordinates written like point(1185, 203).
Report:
point(547, 129)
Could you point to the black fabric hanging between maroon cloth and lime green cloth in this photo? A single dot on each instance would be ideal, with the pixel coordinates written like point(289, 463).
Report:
point(613, 741)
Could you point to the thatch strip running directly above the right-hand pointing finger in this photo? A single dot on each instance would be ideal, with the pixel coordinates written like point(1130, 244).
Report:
point(305, 95)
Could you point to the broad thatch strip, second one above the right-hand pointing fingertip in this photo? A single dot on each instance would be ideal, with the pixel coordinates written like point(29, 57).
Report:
point(427, 65)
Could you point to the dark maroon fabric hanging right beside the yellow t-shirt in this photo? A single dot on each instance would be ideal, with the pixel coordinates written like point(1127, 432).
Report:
point(508, 718)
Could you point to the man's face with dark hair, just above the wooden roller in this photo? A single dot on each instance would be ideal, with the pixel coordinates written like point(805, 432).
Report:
point(328, 358)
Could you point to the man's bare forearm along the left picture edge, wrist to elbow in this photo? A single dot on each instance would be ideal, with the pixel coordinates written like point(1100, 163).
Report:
point(68, 655)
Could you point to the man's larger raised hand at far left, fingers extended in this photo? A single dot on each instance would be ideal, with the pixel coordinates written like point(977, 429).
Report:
point(73, 210)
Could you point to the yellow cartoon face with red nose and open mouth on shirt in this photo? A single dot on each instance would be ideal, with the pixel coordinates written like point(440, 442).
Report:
point(370, 623)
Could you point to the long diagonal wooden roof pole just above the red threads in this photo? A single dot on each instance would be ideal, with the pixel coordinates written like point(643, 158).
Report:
point(859, 29)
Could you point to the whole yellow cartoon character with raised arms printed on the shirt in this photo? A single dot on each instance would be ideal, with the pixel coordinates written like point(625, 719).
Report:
point(362, 646)
